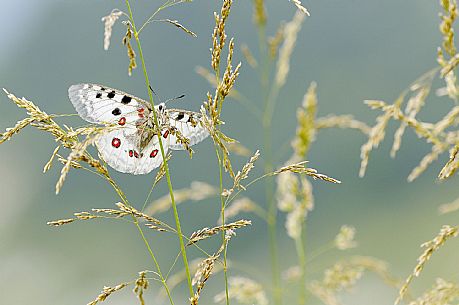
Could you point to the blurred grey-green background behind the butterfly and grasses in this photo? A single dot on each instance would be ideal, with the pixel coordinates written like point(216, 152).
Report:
point(354, 50)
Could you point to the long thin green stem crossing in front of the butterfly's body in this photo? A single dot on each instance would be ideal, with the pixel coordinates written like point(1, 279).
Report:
point(166, 167)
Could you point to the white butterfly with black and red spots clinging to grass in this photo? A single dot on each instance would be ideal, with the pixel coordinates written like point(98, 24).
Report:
point(133, 146)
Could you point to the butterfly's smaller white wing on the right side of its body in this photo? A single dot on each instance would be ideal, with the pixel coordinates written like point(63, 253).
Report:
point(189, 125)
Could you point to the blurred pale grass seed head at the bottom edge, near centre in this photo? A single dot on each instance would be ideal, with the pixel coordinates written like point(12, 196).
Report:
point(244, 291)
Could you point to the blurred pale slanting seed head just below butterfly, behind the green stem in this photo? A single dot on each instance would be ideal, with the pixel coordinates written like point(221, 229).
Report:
point(196, 192)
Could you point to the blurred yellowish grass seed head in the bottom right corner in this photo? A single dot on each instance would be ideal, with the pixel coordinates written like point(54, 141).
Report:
point(442, 293)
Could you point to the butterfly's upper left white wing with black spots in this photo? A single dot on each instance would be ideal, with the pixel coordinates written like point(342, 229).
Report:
point(100, 104)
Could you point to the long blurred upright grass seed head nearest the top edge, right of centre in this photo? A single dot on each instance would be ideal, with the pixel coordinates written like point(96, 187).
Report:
point(290, 33)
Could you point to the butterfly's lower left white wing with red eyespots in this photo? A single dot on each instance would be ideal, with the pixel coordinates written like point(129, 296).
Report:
point(120, 152)
